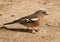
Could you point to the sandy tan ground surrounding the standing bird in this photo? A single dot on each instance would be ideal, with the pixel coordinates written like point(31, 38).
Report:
point(49, 30)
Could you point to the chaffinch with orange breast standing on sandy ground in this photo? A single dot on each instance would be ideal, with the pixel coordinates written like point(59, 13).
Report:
point(32, 20)
